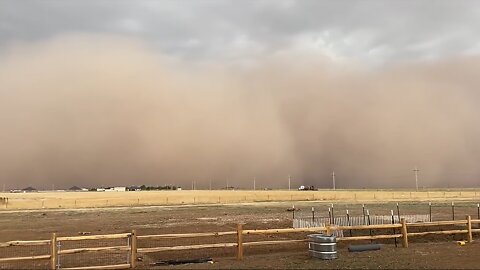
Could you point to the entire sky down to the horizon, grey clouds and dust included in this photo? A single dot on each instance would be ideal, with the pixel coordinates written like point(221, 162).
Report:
point(167, 92)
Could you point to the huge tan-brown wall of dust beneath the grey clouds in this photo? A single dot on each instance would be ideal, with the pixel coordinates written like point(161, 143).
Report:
point(97, 110)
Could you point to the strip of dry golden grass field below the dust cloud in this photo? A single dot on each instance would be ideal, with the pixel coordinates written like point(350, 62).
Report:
point(67, 200)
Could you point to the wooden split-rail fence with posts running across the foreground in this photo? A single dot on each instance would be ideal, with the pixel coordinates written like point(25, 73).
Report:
point(133, 250)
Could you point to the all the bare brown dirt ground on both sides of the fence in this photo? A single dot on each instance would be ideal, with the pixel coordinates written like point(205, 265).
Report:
point(434, 252)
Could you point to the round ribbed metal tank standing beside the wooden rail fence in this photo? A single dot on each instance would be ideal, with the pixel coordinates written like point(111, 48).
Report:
point(322, 246)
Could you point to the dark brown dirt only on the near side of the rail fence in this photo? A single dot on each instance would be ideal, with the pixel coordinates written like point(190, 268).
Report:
point(418, 256)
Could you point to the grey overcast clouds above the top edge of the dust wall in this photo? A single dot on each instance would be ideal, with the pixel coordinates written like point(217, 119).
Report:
point(370, 32)
